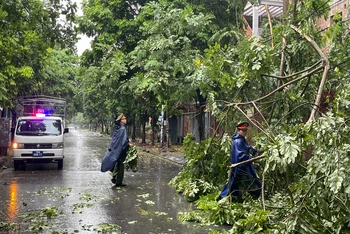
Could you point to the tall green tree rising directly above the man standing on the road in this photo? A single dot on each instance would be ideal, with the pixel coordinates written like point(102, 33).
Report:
point(114, 30)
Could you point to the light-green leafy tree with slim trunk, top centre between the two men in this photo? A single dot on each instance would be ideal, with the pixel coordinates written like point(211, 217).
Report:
point(175, 36)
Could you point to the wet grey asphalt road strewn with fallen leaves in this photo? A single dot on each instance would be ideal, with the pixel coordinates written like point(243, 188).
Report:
point(81, 199)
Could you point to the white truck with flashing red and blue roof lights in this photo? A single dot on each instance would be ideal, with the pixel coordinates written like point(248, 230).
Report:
point(39, 137)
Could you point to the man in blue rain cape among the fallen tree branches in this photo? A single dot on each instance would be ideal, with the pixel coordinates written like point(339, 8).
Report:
point(243, 178)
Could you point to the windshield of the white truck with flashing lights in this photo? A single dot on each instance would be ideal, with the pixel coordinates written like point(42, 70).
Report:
point(39, 127)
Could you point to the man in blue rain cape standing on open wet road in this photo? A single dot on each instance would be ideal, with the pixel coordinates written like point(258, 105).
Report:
point(117, 152)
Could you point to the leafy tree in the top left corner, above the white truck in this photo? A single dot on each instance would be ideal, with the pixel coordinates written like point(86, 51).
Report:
point(28, 30)
